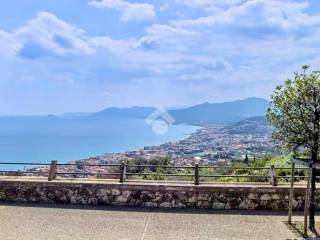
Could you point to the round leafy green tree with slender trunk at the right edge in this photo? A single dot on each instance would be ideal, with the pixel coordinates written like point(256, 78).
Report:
point(294, 114)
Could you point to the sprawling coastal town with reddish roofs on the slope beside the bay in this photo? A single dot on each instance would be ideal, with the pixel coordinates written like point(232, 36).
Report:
point(208, 146)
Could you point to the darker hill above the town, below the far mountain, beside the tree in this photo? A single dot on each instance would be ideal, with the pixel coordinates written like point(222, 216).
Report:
point(251, 125)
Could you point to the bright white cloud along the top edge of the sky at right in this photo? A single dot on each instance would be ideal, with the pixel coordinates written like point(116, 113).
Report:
point(285, 15)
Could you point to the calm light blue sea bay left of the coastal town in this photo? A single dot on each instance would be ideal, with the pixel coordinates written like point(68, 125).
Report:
point(41, 139)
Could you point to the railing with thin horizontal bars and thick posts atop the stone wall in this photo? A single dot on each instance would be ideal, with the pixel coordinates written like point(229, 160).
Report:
point(52, 171)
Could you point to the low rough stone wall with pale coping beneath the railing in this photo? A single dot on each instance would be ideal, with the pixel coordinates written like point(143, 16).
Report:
point(222, 196)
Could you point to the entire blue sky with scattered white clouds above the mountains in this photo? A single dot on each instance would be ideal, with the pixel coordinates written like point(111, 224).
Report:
point(85, 55)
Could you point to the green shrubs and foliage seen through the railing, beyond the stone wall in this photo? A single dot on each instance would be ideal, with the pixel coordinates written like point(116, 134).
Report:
point(156, 173)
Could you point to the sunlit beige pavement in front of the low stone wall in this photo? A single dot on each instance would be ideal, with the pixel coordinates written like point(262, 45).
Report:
point(33, 222)
